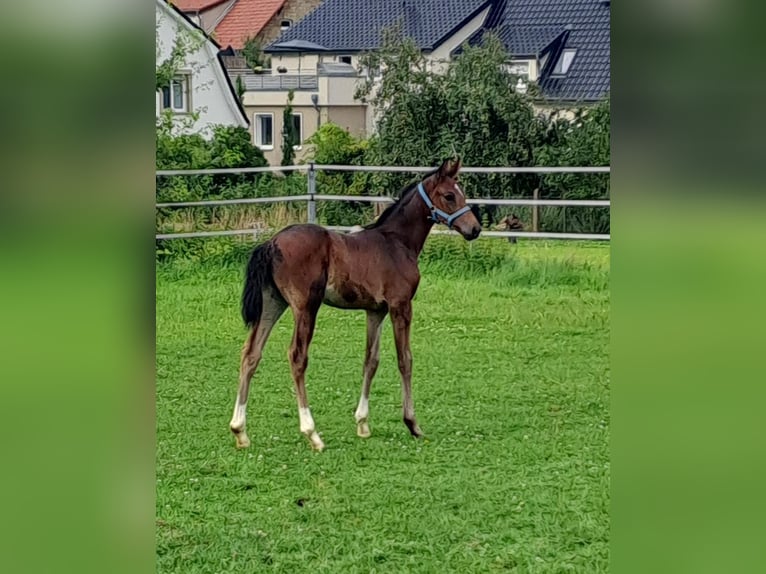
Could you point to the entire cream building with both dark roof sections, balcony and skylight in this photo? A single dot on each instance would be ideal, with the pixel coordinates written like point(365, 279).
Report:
point(562, 45)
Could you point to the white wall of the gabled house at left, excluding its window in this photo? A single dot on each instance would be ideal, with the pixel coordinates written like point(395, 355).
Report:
point(210, 95)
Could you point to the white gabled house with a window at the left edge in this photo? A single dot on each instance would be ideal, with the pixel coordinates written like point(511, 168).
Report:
point(201, 85)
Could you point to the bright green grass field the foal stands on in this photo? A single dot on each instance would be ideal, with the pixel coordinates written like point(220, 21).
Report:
point(511, 387)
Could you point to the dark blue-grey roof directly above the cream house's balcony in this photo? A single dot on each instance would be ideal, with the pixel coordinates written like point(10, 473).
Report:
point(356, 25)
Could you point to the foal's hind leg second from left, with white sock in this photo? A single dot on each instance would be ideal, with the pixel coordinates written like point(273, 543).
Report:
point(304, 330)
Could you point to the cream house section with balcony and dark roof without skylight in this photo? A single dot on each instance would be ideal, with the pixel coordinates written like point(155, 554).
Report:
point(318, 59)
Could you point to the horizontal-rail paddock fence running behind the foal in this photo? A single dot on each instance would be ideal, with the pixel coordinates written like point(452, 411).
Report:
point(312, 197)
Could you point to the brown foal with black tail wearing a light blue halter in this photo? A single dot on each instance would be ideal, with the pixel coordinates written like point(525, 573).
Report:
point(375, 269)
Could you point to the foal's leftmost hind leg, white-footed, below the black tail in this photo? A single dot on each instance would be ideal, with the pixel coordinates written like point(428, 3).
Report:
point(273, 307)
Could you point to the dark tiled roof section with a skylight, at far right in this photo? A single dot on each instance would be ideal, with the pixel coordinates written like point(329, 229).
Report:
point(530, 27)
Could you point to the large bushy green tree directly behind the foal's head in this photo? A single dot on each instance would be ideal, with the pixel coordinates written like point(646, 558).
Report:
point(471, 109)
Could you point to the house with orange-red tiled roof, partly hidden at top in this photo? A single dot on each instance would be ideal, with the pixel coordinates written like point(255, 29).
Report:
point(233, 22)
